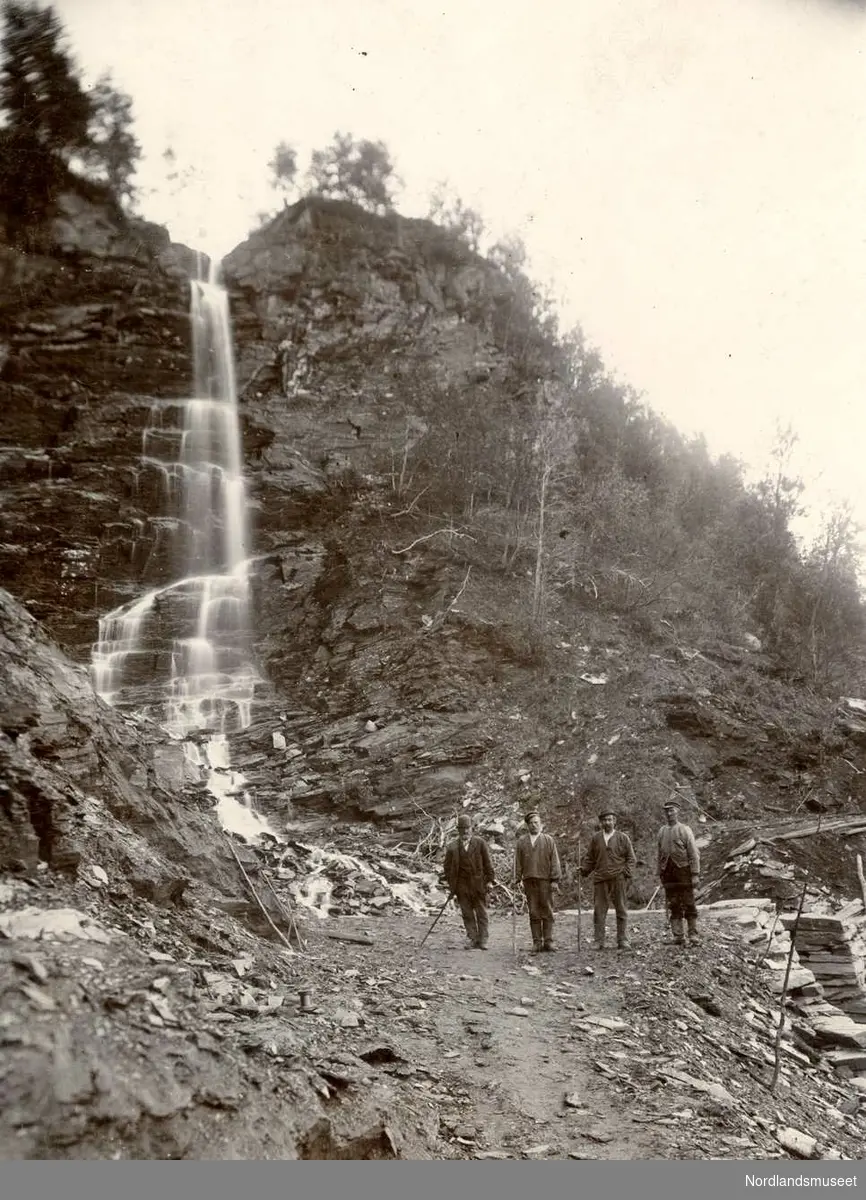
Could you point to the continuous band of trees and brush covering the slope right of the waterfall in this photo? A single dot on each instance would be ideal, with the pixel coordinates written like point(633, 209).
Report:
point(540, 464)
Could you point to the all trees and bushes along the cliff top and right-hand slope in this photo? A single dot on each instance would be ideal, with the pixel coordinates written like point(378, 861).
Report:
point(560, 471)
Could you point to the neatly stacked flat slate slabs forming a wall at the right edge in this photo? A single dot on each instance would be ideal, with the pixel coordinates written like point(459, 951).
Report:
point(835, 950)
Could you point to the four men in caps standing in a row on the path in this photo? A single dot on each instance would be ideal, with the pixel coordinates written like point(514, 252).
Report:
point(610, 861)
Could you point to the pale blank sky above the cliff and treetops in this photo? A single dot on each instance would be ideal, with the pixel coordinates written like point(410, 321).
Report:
point(688, 176)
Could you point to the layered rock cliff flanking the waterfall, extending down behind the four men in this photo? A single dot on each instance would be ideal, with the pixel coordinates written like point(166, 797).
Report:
point(395, 650)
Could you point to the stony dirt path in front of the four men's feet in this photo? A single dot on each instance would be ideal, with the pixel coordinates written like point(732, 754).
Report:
point(502, 1040)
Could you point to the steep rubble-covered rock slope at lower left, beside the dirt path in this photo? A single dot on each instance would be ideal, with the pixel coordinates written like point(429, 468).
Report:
point(118, 944)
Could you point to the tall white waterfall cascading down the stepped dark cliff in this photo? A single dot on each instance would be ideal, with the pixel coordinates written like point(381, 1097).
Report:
point(194, 633)
